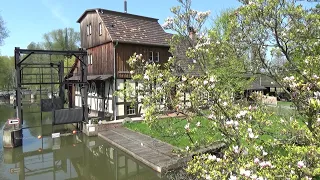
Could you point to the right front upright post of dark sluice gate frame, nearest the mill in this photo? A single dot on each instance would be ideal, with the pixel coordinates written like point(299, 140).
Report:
point(84, 90)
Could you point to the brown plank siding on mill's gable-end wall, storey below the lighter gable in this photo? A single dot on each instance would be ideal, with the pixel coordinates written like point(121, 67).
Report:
point(102, 59)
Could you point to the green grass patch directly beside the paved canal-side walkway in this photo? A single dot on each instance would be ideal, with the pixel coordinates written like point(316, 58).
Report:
point(171, 130)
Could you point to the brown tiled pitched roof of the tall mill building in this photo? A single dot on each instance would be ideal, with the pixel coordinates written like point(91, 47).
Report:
point(130, 28)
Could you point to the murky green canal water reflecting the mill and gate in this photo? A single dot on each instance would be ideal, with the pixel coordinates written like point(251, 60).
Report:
point(73, 157)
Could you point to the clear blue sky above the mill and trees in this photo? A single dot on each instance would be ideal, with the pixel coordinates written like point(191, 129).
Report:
point(27, 21)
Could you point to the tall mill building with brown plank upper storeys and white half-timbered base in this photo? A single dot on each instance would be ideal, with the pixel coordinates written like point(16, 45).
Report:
point(110, 39)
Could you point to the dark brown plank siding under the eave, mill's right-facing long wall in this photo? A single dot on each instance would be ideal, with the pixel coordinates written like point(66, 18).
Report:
point(125, 51)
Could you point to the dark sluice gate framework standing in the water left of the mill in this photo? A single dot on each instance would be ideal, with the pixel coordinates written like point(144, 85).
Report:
point(62, 82)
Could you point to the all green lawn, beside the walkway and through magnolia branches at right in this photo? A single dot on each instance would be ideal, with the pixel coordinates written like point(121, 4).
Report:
point(171, 130)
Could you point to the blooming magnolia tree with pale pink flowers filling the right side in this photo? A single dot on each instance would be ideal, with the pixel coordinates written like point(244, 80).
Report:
point(259, 144)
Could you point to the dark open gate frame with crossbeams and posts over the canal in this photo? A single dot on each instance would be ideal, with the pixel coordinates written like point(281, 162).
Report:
point(80, 55)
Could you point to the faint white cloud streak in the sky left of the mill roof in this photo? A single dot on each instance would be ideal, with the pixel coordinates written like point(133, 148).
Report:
point(55, 9)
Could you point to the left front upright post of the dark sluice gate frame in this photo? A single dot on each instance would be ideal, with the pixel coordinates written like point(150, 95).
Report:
point(18, 84)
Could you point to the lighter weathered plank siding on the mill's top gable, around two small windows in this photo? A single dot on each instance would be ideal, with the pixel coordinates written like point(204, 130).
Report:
point(95, 39)
